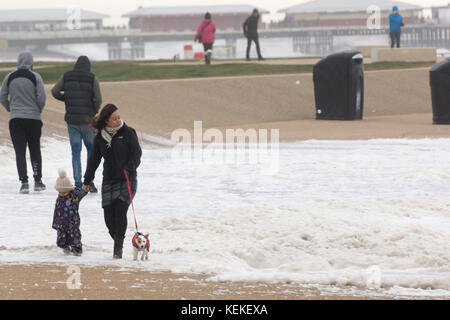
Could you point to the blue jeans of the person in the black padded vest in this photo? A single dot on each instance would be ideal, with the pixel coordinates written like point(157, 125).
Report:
point(77, 135)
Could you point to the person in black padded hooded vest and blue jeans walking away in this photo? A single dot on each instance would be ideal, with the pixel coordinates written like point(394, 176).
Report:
point(80, 91)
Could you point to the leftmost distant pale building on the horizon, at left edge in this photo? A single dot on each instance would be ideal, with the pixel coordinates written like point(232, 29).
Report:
point(27, 20)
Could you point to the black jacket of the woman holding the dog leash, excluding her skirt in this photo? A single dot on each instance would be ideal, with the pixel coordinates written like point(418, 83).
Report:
point(124, 153)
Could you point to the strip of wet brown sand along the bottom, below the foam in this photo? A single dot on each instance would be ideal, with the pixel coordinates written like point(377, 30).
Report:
point(50, 282)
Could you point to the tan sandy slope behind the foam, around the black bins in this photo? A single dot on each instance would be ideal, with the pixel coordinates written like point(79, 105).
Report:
point(397, 105)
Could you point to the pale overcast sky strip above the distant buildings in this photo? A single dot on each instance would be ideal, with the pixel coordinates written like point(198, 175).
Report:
point(116, 8)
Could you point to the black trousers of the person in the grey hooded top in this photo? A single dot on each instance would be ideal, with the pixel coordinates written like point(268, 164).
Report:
point(27, 132)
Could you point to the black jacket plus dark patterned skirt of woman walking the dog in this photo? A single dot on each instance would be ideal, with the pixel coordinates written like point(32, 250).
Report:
point(124, 153)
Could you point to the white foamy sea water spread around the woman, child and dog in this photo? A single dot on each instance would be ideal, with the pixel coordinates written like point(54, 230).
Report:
point(372, 215)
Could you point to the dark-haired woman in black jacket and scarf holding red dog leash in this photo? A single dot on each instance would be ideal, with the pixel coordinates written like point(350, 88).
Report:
point(119, 147)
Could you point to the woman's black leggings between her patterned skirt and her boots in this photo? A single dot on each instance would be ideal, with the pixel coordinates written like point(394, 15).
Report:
point(116, 218)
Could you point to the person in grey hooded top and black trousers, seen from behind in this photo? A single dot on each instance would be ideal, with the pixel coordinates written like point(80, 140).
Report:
point(23, 96)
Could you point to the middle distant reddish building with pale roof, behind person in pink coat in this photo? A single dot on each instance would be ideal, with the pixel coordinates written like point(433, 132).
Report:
point(185, 19)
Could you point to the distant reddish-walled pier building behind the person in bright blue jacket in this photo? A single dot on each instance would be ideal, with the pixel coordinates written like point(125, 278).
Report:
point(345, 13)
